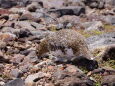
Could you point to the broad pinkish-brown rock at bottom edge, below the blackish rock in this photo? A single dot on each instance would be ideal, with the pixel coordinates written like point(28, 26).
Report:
point(71, 76)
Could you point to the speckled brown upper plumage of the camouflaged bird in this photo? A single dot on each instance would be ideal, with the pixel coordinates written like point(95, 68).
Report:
point(66, 38)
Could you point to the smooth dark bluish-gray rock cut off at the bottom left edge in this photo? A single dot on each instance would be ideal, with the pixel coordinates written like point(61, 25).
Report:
point(16, 82)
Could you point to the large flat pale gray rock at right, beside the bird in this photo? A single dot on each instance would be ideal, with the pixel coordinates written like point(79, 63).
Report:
point(101, 40)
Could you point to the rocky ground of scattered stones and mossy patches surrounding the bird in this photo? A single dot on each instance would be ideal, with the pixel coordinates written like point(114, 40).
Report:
point(24, 23)
